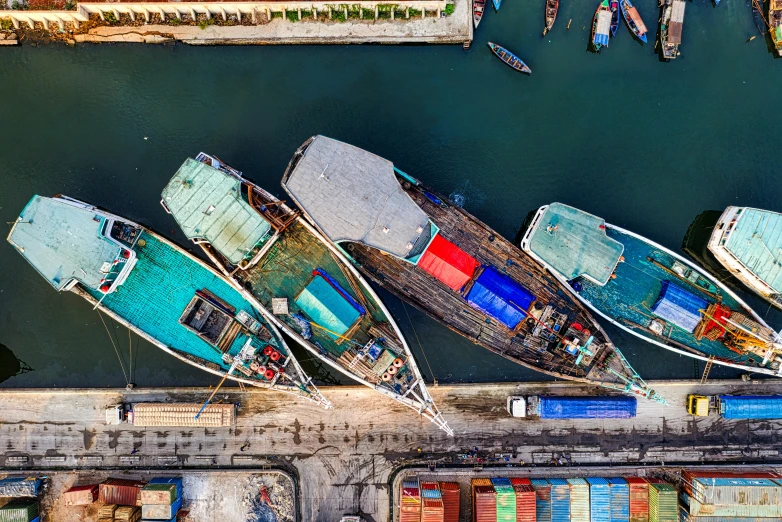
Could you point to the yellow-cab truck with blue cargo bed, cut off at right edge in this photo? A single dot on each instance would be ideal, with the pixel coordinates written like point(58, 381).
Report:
point(736, 406)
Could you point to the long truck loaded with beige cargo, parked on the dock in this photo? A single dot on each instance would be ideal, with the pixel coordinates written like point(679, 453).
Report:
point(168, 414)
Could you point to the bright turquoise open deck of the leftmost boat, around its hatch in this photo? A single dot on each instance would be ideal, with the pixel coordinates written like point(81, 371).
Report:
point(159, 289)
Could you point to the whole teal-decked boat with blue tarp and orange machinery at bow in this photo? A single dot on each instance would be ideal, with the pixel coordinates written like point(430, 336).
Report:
point(649, 291)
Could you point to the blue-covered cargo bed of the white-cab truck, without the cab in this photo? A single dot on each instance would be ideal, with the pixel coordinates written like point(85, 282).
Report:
point(621, 407)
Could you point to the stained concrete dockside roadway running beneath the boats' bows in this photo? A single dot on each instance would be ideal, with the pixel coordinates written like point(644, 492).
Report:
point(344, 457)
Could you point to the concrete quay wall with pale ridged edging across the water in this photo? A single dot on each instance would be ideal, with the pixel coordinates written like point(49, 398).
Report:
point(255, 23)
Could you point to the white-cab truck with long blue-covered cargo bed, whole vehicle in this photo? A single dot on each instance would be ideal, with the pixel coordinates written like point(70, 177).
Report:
point(547, 407)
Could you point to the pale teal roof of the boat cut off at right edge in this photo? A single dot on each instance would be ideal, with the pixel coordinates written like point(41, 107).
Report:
point(757, 243)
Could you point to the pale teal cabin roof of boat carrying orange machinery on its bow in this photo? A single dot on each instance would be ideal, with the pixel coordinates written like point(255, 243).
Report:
point(575, 243)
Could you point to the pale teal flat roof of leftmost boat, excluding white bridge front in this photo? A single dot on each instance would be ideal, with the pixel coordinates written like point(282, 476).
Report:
point(62, 242)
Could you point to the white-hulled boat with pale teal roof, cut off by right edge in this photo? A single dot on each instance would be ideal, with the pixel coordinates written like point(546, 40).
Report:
point(748, 243)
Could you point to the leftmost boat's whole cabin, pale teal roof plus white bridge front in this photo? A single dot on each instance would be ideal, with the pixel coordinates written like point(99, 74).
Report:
point(70, 242)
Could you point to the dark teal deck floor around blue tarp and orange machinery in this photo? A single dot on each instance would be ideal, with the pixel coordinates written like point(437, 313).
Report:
point(635, 289)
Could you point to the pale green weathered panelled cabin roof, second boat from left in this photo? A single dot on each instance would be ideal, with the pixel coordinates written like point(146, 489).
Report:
point(207, 204)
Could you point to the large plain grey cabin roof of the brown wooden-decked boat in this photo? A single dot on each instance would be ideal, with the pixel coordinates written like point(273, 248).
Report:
point(353, 195)
